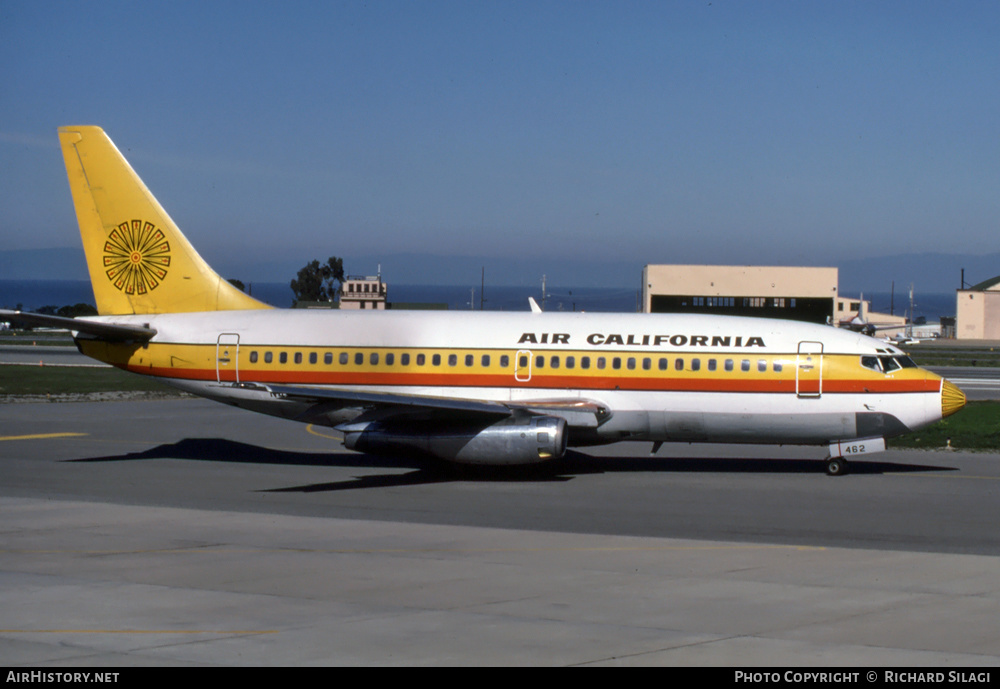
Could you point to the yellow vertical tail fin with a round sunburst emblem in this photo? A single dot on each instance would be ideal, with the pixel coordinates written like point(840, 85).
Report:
point(138, 259)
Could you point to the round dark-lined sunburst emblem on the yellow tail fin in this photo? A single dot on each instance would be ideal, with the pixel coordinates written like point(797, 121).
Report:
point(136, 257)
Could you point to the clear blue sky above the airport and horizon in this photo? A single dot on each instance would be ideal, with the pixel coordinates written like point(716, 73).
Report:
point(576, 132)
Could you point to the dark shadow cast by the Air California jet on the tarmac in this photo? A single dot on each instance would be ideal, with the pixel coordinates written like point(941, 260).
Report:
point(428, 470)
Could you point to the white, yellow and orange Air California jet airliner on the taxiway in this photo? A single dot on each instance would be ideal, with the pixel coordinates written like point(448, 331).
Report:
point(482, 388)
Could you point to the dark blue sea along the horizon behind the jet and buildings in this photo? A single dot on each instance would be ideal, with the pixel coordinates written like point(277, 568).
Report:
point(32, 295)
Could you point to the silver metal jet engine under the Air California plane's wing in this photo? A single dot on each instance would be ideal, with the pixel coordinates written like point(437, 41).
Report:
point(515, 440)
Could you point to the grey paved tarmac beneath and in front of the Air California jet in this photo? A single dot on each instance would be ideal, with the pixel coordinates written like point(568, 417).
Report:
point(182, 532)
